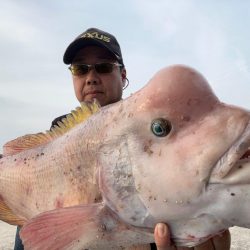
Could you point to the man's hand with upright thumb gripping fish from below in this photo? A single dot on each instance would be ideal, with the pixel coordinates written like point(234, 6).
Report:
point(162, 240)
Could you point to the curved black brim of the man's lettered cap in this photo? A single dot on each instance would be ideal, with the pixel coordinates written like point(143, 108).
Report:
point(75, 46)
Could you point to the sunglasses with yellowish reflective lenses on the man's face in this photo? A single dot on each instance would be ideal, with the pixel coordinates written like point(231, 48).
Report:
point(101, 68)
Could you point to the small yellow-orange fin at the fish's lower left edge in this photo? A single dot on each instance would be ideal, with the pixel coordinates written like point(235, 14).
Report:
point(8, 216)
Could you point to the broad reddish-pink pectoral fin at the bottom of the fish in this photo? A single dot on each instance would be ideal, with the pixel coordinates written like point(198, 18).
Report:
point(91, 226)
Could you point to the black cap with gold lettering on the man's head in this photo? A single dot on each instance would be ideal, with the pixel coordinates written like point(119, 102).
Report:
point(96, 37)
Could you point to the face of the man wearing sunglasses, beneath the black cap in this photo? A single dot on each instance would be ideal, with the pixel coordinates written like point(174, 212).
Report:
point(105, 87)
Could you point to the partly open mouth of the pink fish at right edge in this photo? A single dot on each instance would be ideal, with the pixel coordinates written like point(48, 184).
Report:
point(234, 166)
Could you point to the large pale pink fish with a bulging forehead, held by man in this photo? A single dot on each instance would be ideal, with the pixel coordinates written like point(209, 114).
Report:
point(172, 152)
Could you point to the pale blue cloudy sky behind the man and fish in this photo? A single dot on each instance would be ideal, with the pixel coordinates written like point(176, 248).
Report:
point(36, 86)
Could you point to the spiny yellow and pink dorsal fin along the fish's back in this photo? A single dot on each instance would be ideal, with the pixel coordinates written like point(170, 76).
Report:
point(29, 141)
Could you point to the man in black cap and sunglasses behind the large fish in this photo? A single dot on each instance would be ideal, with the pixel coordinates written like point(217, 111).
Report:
point(98, 72)
